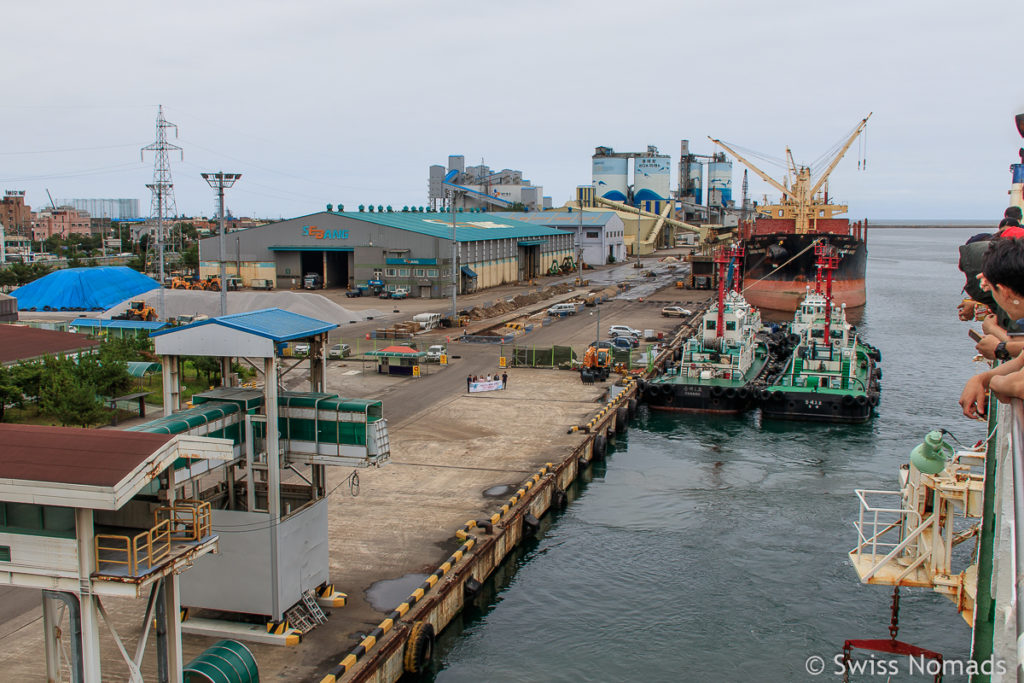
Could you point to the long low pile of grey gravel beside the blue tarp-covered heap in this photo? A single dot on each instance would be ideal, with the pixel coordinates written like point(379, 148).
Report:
point(191, 303)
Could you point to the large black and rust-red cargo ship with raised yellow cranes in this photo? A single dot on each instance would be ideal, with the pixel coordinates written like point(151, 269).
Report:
point(781, 240)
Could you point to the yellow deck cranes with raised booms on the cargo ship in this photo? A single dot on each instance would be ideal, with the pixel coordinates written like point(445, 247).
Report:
point(799, 189)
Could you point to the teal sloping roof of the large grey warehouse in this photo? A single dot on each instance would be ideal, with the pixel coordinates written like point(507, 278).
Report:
point(470, 227)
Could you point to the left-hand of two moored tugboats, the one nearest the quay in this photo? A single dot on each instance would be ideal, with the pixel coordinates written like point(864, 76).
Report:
point(717, 367)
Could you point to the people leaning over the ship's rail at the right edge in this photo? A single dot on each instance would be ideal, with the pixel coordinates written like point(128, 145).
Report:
point(994, 266)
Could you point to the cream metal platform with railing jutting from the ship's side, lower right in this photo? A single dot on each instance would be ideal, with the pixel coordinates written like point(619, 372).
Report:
point(890, 534)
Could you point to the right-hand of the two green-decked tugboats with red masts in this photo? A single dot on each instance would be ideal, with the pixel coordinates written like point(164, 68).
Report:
point(833, 375)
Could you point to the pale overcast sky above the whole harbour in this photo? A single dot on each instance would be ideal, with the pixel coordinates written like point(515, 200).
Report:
point(351, 103)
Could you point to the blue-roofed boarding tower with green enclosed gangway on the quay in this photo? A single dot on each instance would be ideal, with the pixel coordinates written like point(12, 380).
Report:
point(274, 561)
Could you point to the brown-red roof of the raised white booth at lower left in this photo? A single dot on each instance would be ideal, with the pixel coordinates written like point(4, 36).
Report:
point(70, 455)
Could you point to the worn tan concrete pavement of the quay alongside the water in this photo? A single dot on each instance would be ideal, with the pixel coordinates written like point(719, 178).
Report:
point(456, 457)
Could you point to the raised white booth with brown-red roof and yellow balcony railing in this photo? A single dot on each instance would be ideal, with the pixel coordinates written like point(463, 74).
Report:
point(89, 515)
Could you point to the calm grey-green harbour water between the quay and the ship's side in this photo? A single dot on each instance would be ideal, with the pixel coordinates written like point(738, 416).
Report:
point(711, 549)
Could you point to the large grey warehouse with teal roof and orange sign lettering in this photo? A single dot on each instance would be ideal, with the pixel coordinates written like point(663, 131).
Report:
point(390, 251)
